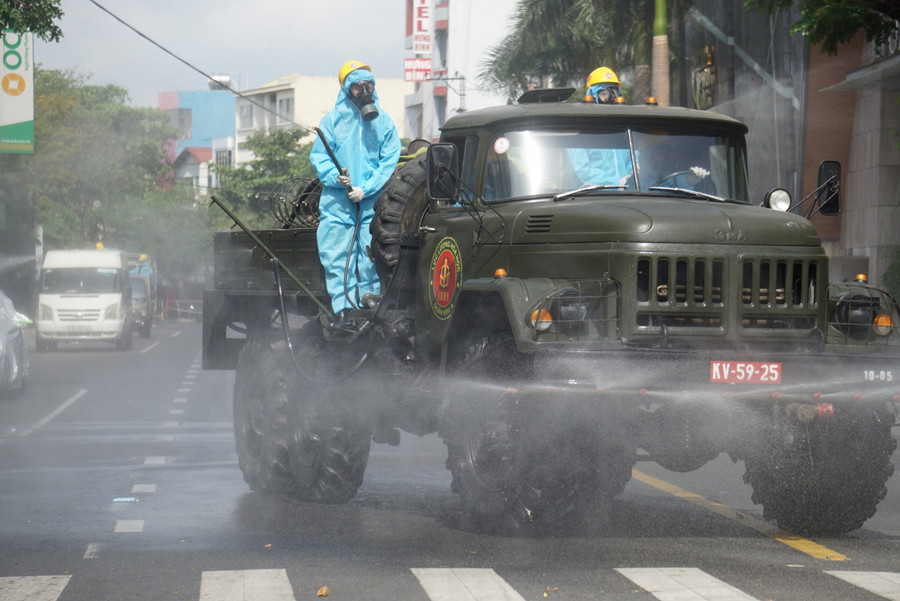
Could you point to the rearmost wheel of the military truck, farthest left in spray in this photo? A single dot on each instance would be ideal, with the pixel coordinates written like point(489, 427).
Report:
point(261, 397)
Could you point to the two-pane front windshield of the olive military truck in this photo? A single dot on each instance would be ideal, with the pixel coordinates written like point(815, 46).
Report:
point(538, 162)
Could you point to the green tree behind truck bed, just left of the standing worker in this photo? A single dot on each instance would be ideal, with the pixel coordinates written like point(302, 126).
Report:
point(278, 154)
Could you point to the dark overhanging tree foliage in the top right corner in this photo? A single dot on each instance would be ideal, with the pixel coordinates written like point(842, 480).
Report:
point(830, 23)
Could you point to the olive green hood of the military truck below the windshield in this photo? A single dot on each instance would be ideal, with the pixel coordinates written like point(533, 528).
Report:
point(660, 220)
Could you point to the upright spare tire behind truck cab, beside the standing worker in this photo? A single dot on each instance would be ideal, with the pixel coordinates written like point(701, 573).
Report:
point(398, 209)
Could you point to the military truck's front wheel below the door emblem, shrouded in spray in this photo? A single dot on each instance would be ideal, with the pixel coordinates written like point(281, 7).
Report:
point(506, 483)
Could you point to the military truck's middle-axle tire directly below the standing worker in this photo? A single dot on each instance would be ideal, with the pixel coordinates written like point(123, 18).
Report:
point(330, 438)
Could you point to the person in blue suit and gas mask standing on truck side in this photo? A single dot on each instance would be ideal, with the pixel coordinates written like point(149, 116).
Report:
point(367, 146)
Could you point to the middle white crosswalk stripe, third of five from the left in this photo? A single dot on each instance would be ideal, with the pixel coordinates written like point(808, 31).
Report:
point(465, 584)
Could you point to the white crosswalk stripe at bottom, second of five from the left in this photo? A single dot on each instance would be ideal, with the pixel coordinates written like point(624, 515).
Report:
point(246, 585)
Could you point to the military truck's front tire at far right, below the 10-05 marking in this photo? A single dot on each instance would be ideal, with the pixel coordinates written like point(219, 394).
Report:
point(826, 477)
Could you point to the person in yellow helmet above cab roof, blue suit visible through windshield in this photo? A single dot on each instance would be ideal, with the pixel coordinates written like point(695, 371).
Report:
point(607, 166)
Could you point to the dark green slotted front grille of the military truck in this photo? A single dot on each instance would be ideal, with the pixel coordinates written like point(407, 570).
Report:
point(699, 292)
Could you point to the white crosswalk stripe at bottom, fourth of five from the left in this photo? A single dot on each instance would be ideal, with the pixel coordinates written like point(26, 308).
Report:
point(683, 584)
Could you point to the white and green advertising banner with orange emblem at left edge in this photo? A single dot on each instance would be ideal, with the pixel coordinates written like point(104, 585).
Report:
point(17, 93)
